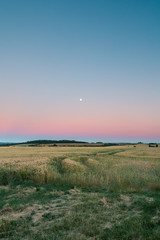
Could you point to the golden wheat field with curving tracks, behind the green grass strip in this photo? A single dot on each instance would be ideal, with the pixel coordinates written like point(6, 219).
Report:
point(128, 168)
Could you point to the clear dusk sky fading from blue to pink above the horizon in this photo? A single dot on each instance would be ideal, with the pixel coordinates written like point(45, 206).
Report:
point(54, 52)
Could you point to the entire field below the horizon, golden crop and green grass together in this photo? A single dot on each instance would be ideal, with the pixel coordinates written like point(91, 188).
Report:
point(80, 192)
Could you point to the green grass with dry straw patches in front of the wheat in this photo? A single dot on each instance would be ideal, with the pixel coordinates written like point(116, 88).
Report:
point(47, 212)
